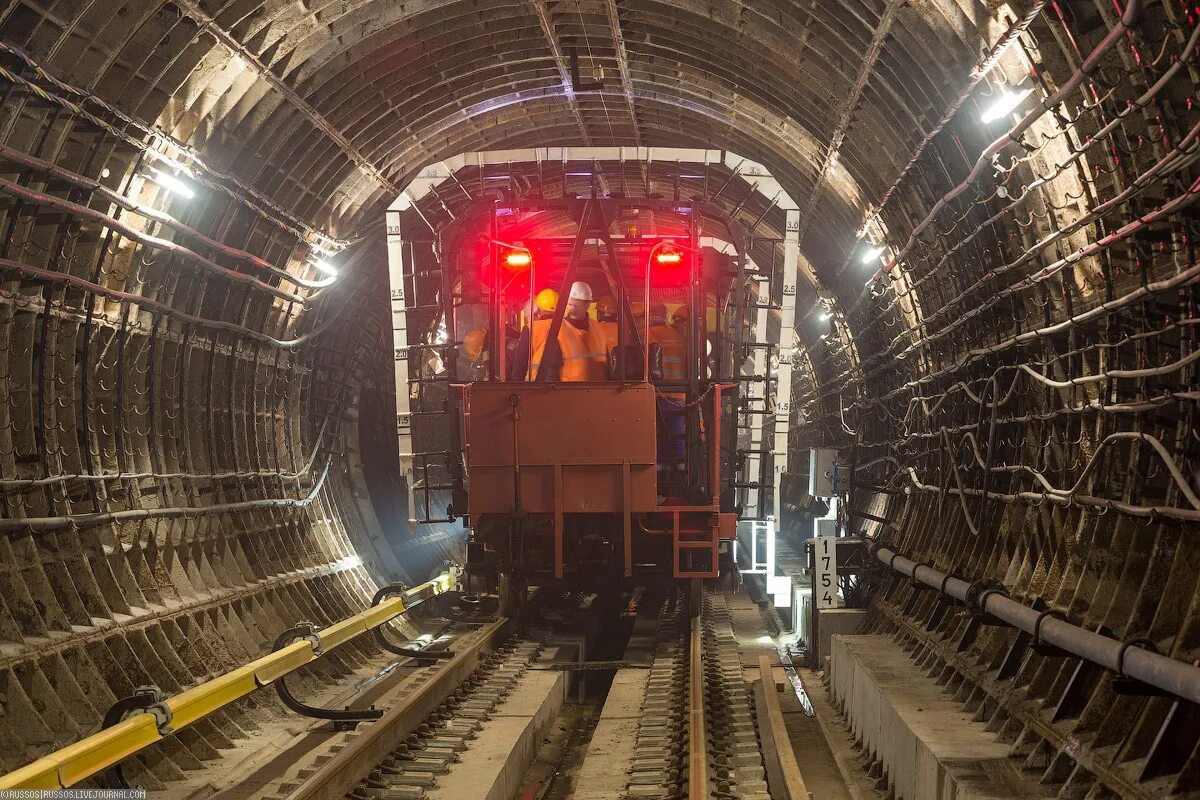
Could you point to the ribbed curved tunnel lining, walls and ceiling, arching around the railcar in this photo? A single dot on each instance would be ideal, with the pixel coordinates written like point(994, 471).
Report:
point(1013, 378)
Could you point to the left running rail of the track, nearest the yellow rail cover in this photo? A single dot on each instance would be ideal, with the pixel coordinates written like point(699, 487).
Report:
point(344, 772)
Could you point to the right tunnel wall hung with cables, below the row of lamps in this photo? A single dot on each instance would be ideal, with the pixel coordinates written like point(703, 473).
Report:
point(1016, 390)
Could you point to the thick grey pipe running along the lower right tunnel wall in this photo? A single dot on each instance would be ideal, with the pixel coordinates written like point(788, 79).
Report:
point(1163, 672)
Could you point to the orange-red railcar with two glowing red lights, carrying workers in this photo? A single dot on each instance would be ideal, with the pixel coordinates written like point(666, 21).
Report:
point(625, 477)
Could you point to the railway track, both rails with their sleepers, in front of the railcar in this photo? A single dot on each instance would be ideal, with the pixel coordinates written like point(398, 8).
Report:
point(697, 733)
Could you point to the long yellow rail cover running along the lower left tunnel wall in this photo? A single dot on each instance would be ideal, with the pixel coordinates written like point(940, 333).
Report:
point(98, 753)
